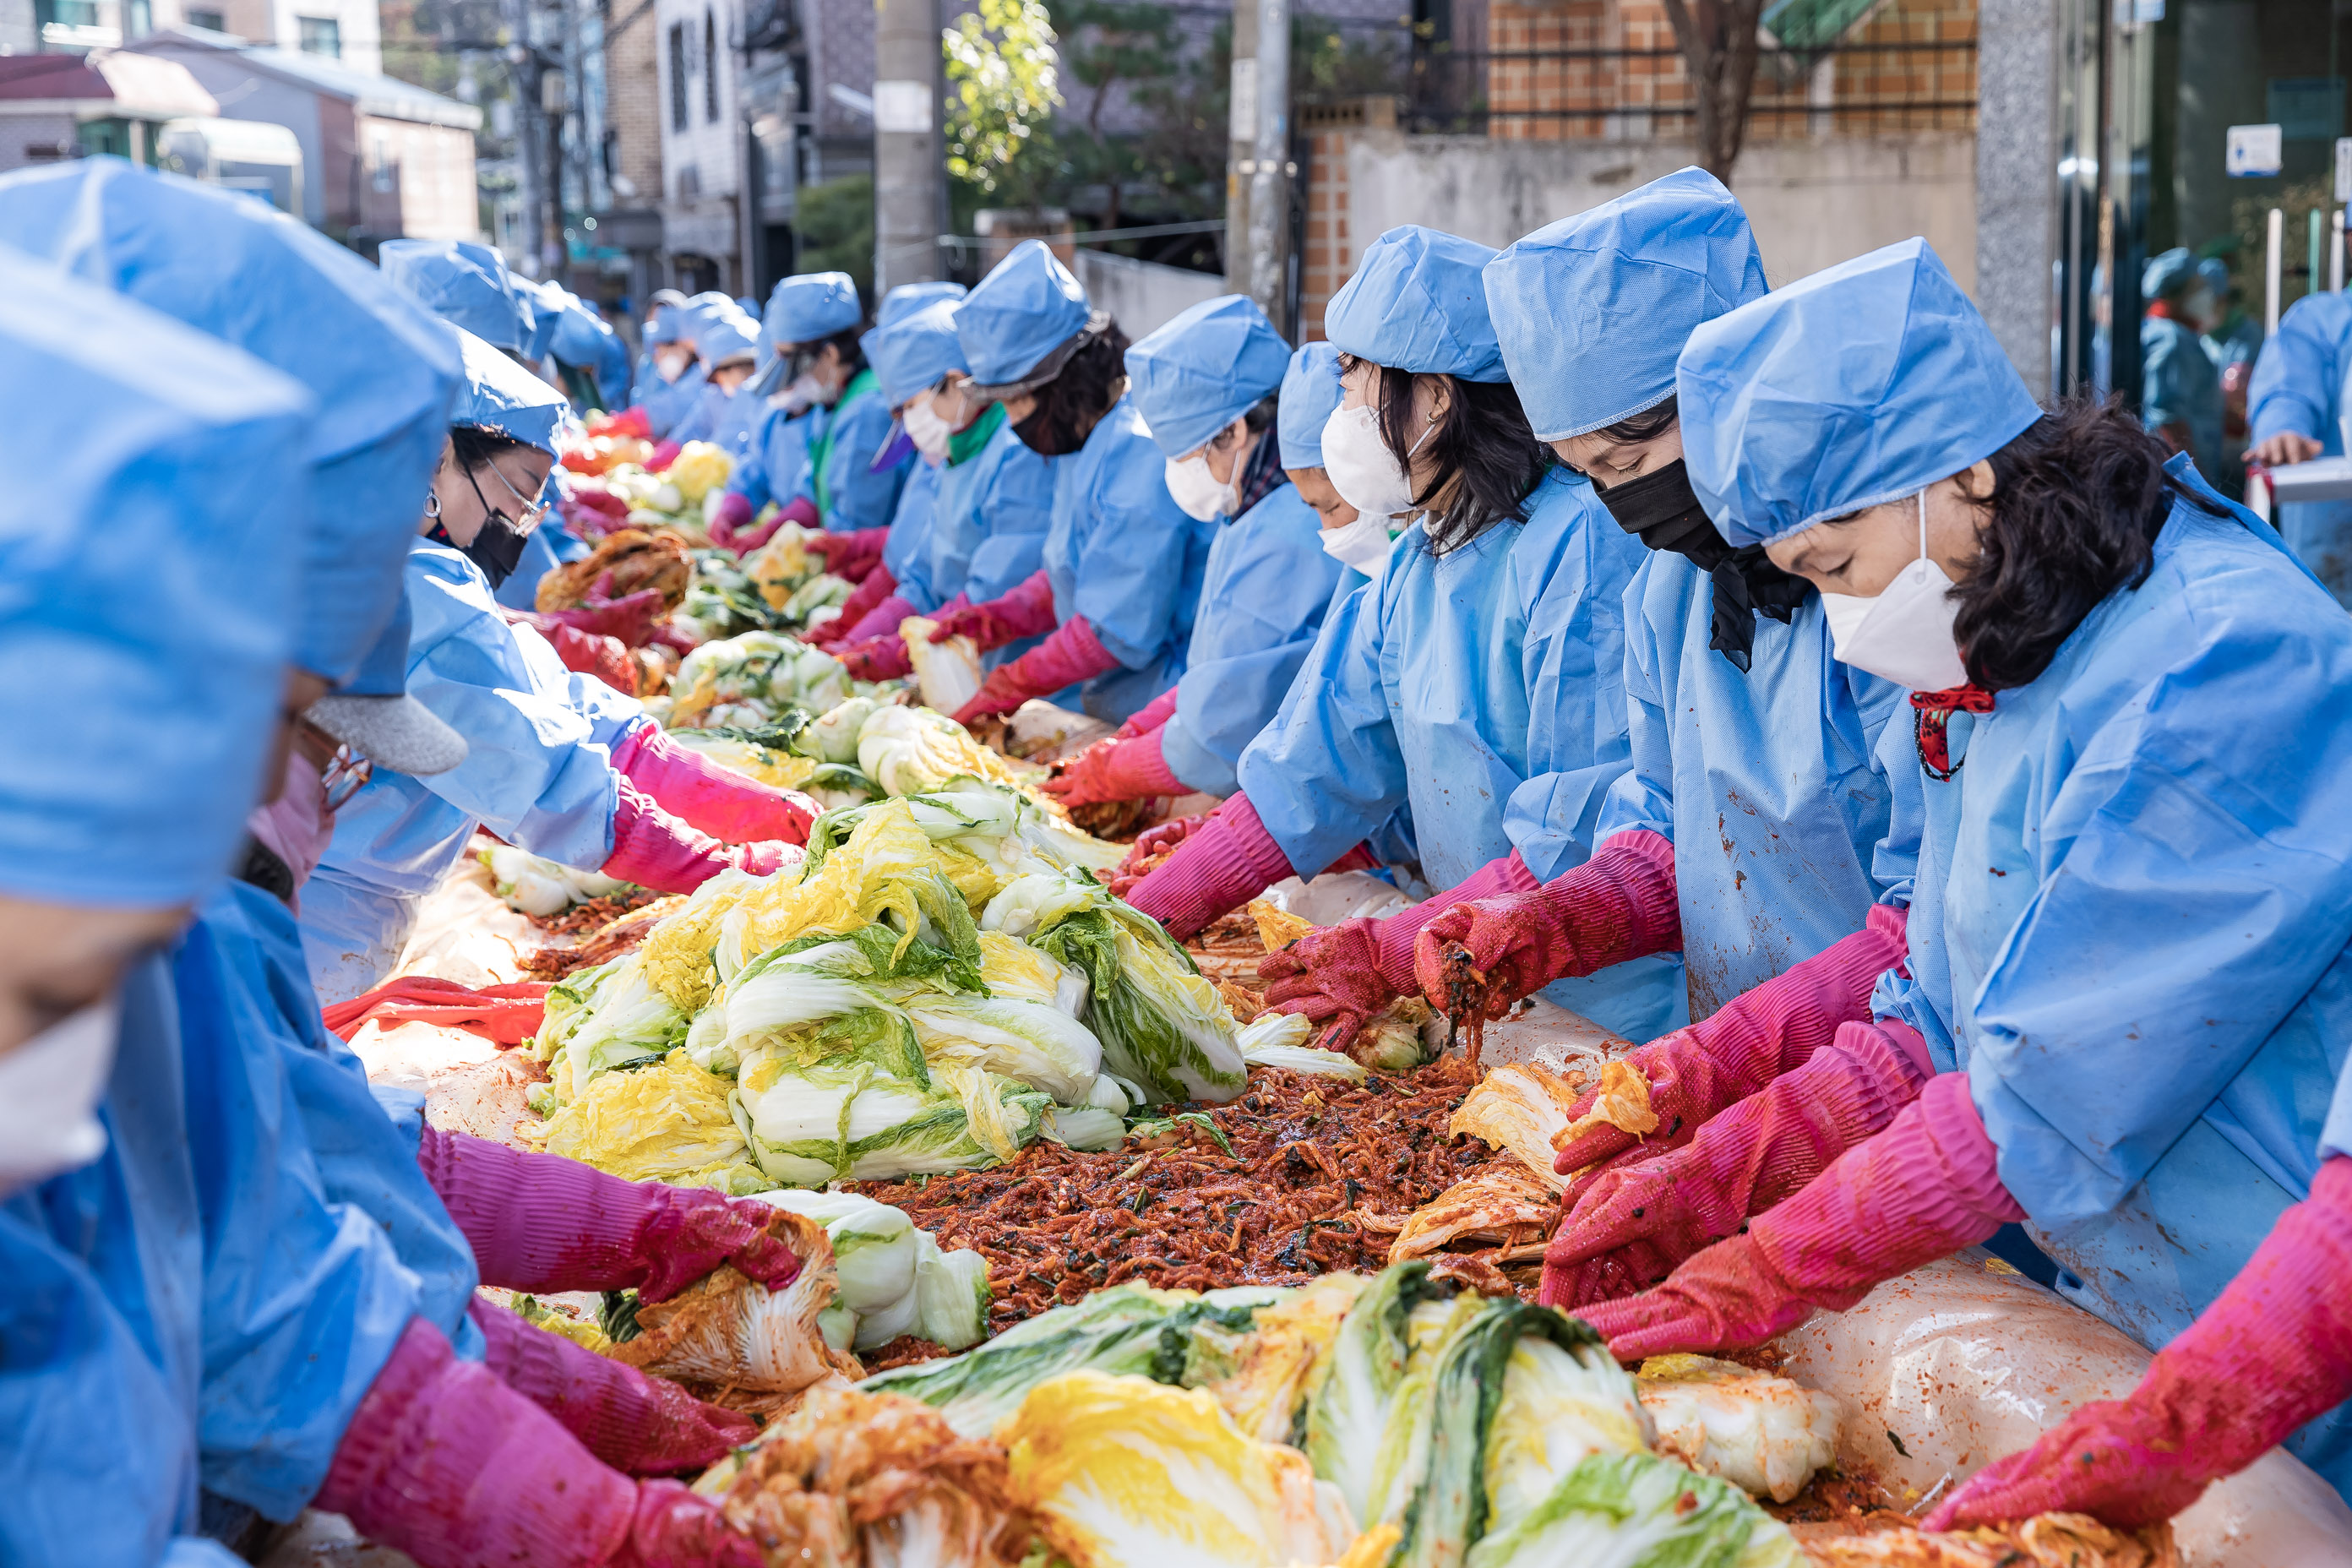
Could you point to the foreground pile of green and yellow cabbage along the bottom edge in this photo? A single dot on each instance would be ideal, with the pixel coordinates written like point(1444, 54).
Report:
point(1356, 1421)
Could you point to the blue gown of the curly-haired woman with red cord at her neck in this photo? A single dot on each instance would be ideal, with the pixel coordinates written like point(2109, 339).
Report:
point(2132, 925)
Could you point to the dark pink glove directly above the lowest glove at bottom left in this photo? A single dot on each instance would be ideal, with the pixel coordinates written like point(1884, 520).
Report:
point(636, 1423)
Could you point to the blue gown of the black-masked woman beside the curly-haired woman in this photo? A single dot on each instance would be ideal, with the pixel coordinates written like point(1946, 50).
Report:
point(1784, 824)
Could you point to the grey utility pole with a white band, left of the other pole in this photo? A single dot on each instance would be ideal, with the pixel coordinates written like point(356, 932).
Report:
point(911, 177)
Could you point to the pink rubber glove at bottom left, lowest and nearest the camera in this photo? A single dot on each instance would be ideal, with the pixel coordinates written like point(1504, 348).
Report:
point(460, 1470)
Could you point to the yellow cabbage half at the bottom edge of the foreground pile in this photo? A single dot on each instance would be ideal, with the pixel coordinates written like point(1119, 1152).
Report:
point(1123, 1473)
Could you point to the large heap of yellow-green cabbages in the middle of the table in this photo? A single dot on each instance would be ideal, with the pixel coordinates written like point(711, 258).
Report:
point(937, 986)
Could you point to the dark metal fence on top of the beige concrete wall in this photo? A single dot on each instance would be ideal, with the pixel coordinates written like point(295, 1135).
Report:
point(1556, 95)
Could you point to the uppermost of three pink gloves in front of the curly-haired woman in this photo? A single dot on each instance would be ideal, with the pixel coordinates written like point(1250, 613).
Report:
point(1749, 1043)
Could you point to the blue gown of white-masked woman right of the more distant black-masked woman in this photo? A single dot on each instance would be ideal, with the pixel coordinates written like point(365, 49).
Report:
point(1262, 603)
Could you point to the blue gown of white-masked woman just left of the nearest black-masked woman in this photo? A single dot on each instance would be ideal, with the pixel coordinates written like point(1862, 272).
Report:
point(1483, 688)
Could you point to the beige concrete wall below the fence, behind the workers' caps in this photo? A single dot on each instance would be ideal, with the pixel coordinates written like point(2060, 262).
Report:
point(1812, 203)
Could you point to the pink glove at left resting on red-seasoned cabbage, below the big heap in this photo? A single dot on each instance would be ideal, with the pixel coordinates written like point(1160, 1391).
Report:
point(552, 1224)
